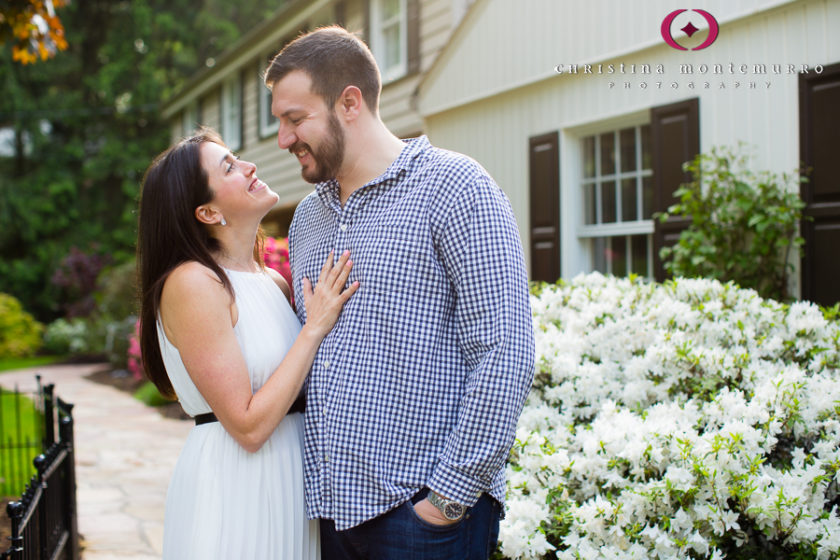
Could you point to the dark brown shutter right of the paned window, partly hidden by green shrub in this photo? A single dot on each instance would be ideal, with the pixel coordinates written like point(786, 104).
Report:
point(675, 139)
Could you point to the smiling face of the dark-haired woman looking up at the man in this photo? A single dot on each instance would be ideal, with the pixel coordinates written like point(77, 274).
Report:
point(237, 193)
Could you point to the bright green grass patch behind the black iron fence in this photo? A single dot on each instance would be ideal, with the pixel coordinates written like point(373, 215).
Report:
point(20, 424)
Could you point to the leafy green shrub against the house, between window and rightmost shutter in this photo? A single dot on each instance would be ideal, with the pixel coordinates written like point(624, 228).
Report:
point(743, 224)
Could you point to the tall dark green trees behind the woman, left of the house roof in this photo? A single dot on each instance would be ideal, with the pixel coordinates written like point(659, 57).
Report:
point(85, 125)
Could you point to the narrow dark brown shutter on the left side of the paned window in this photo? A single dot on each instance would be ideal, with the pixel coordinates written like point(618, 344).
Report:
point(544, 166)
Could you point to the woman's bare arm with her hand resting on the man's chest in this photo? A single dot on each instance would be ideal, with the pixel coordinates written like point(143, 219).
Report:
point(197, 314)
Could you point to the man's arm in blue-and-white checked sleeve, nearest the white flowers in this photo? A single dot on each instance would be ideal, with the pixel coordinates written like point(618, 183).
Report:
point(479, 245)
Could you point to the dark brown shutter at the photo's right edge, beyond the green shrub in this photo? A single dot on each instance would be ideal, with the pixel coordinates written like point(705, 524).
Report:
point(819, 123)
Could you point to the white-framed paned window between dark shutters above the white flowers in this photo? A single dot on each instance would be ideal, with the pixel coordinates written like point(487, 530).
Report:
point(617, 184)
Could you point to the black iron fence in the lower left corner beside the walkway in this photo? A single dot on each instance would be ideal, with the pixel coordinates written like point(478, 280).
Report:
point(44, 522)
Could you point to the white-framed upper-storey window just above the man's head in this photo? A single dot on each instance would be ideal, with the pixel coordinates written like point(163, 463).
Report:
point(388, 40)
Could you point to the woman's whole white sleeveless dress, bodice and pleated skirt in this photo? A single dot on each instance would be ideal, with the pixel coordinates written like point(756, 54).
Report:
point(224, 502)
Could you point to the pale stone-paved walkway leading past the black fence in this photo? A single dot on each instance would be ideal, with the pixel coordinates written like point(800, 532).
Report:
point(125, 453)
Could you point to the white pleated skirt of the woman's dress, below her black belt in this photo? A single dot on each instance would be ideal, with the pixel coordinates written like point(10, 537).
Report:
point(226, 503)
